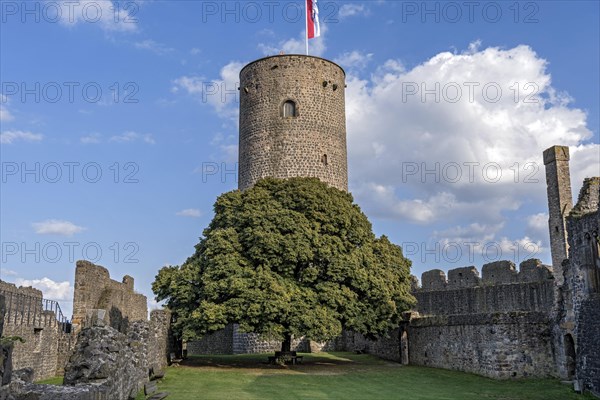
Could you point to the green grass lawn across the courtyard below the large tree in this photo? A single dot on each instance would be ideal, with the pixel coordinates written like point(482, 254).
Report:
point(344, 376)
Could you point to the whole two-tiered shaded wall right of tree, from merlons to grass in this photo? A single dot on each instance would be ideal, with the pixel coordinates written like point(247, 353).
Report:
point(498, 325)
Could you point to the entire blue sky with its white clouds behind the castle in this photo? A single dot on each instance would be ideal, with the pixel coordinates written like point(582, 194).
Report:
point(125, 115)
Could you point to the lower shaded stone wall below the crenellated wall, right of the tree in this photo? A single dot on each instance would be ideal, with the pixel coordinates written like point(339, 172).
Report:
point(500, 345)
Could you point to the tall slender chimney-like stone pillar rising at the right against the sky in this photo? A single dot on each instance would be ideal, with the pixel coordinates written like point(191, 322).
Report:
point(560, 203)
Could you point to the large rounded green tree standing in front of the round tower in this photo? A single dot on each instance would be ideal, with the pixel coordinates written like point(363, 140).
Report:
point(288, 257)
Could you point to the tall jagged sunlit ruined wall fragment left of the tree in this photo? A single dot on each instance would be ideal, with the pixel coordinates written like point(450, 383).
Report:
point(95, 290)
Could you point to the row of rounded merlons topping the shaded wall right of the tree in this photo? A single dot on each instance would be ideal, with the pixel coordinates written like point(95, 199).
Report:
point(495, 273)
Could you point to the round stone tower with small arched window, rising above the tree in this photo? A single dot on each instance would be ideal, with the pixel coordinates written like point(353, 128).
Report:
point(293, 120)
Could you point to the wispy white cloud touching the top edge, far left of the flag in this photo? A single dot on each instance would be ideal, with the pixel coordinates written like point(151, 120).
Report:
point(110, 16)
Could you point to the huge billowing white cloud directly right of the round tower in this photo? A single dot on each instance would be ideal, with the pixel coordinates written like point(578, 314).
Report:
point(422, 159)
